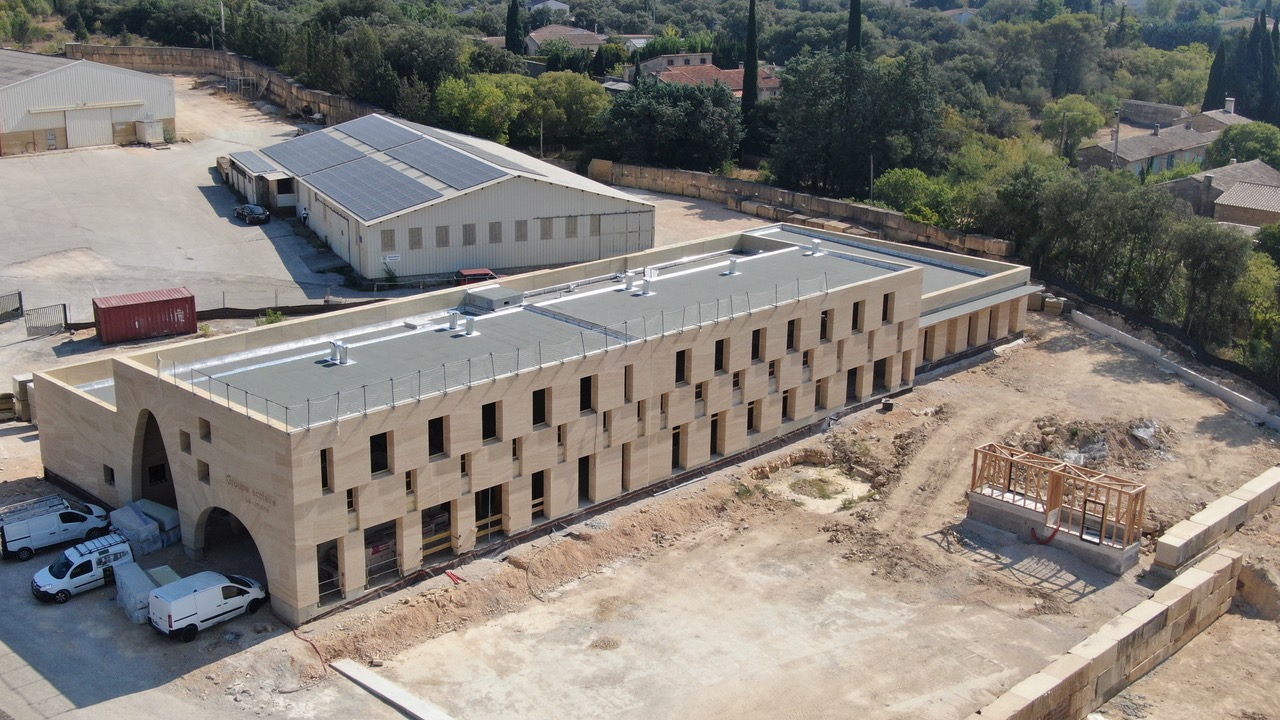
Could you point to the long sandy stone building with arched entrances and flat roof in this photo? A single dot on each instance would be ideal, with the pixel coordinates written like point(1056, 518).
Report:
point(359, 446)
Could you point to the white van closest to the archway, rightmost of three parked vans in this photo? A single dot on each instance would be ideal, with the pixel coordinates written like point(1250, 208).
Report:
point(193, 604)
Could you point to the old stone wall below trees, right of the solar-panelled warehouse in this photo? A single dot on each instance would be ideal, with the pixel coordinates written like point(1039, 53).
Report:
point(798, 208)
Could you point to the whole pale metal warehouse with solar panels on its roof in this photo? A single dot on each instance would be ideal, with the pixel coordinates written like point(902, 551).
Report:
point(394, 198)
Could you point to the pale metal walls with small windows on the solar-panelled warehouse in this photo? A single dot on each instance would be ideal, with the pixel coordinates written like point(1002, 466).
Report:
point(627, 226)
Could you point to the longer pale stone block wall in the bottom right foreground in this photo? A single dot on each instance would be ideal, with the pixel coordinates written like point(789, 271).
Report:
point(1126, 649)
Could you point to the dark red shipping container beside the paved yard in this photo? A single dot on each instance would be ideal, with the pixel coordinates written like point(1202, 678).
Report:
point(140, 316)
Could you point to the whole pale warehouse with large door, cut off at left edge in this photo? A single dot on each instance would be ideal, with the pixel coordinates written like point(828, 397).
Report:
point(51, 103)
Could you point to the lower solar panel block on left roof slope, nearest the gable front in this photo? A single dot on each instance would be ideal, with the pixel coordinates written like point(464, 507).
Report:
point(371, 189)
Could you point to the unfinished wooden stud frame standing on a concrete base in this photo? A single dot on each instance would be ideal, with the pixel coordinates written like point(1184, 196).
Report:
point(1095, 507)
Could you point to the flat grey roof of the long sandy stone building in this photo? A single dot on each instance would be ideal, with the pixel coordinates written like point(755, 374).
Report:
point(418, 356)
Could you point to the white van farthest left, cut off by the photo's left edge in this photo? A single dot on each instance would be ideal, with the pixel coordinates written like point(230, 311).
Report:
point(31, 526)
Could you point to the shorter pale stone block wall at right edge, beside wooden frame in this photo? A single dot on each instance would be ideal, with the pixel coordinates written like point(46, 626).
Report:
point(1187, 541)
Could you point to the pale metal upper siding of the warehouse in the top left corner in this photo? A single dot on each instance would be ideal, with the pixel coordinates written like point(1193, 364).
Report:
point(129, 97)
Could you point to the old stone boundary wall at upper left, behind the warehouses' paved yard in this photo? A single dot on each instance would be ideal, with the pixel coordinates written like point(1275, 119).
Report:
point(273, 86)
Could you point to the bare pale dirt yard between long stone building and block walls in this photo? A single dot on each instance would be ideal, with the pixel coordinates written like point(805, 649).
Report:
point(742, 598)
